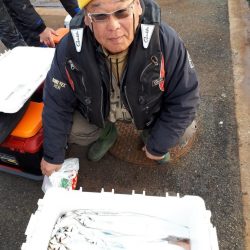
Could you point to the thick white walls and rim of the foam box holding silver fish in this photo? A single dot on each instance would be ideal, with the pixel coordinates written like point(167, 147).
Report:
point(188, 213)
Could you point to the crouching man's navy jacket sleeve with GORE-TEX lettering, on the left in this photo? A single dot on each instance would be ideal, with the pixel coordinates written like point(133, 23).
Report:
point(59, 105)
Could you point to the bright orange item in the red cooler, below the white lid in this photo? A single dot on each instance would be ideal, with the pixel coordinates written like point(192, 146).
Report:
point(31, 122)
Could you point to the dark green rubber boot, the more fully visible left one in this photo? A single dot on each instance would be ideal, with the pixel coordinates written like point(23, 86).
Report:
point(100, 147)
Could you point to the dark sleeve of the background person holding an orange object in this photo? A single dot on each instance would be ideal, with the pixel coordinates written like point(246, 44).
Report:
point(26, 14)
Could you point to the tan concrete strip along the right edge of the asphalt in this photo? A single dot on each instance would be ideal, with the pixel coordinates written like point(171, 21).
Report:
point(240, 43)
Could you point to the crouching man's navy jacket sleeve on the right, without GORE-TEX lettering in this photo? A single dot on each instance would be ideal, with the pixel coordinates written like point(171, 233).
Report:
point(181, 96)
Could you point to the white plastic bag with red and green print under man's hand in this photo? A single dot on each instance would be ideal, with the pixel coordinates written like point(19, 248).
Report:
point(66, 177)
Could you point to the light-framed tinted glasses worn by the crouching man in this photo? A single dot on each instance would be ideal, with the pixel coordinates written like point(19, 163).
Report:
point(119, 14)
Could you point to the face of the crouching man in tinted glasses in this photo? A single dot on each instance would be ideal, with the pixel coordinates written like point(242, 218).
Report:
point(115, 32)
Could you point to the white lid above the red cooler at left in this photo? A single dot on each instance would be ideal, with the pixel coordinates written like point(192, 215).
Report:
point(22, 70)
